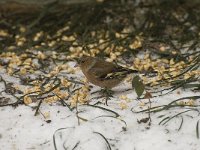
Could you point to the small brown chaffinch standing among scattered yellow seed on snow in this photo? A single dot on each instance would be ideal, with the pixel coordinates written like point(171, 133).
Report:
point(101, 73)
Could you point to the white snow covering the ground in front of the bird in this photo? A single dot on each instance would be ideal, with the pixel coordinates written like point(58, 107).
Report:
point(21, 130)
